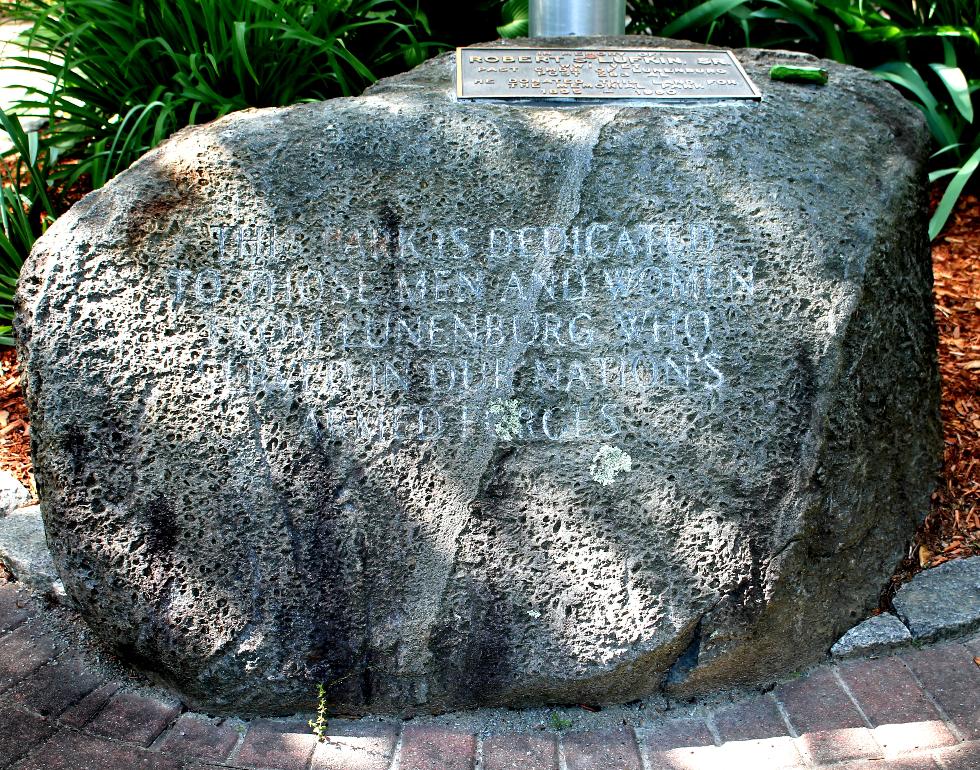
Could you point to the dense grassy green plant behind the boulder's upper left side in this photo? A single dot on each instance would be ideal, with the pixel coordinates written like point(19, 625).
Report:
point(128, 74)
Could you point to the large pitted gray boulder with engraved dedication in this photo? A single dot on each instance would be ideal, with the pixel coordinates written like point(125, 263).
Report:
point(446, 404)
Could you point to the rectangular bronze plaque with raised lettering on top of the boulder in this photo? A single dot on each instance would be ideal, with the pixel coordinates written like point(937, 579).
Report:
point(600, 73)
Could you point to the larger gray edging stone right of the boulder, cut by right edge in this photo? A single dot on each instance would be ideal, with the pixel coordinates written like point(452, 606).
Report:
point(942, 601)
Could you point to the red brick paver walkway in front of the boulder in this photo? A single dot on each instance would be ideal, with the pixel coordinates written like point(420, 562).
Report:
point(917, 710)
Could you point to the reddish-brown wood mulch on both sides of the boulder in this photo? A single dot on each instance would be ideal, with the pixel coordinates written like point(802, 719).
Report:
point(951, 530)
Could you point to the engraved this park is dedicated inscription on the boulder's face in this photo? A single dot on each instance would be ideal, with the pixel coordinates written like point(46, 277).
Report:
point(434, 346)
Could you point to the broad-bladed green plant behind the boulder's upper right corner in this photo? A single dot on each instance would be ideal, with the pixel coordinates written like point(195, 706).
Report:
point(930, 50)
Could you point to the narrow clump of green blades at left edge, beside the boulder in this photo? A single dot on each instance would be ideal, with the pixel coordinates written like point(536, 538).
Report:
point(26, 208)
